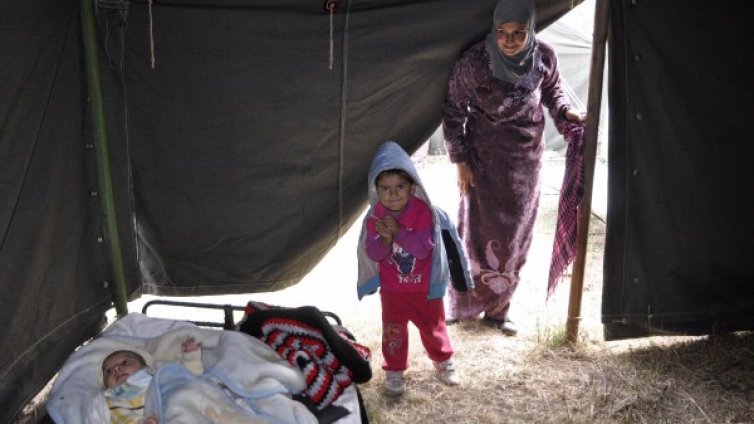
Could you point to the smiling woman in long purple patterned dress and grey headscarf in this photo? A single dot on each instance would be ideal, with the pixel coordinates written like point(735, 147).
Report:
point(493, 123)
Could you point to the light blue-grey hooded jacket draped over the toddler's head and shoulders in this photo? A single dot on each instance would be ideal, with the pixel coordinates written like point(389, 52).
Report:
point(449, 261)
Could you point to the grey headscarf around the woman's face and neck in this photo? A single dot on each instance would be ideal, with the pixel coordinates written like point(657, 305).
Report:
point(512, 68)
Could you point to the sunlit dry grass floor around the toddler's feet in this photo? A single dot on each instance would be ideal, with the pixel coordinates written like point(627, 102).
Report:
point(521, 380)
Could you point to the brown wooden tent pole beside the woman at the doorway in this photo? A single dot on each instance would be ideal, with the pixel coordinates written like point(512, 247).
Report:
point(599, 40)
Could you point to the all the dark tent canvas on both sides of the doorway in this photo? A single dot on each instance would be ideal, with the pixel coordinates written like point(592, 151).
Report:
point(240, 158)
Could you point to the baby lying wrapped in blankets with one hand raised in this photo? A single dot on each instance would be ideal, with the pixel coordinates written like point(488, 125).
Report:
point(127, 377)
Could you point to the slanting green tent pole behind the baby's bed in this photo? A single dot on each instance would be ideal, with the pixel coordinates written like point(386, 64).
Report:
point(94, 86)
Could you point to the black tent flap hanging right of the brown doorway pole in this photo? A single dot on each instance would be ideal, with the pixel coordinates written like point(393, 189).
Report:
point(678, 253)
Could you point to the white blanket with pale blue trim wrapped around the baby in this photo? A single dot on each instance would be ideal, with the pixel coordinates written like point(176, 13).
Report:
point(246, 365)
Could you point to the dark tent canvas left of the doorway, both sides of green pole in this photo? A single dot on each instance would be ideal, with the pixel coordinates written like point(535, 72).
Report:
point(317, 91)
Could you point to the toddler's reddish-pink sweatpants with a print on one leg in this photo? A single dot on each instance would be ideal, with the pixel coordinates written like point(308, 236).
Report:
point(429, 318)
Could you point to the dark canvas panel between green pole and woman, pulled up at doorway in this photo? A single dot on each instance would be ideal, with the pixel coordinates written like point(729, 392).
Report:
point(265, 143)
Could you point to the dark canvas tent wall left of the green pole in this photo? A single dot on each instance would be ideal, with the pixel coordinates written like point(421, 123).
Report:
point(53, 272)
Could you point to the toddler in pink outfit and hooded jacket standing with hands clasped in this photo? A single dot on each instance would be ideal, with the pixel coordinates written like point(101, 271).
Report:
point(398, 253)
